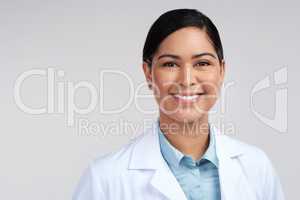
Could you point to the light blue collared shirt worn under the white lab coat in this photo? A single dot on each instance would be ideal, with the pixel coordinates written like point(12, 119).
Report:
point(198, 179)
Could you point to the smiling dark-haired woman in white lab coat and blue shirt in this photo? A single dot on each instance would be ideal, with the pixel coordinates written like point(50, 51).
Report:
point(182, 156)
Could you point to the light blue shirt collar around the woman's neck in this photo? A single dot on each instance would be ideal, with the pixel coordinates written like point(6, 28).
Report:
point(173, 156)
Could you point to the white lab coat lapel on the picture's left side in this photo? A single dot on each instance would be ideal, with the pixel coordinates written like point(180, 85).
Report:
point(147, 155)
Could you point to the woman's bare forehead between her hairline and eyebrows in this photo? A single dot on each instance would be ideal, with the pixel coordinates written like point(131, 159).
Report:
point(186, 41)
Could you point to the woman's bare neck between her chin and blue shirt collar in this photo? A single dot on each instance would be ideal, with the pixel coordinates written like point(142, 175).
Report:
point(191, 138)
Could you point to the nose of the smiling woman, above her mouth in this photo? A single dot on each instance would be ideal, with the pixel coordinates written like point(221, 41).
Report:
point(187, 76)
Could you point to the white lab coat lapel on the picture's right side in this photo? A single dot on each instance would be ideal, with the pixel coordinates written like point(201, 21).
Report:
point(233, 181)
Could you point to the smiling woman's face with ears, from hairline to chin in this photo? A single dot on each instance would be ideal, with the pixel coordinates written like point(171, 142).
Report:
point(185, 75)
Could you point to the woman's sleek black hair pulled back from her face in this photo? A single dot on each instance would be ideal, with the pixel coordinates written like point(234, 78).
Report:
point(173, 20)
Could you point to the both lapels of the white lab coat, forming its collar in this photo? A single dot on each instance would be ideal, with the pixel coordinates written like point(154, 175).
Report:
point(146, 155)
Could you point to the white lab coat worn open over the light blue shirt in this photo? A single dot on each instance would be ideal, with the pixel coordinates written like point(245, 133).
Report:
point(138, 171)
